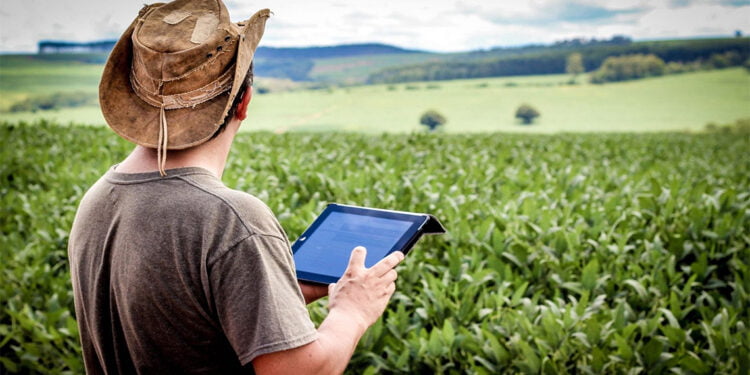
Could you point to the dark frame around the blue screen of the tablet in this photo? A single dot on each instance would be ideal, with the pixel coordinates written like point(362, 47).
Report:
point(405, 242)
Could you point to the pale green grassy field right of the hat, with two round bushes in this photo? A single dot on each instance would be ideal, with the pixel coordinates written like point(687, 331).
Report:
point(679, 102)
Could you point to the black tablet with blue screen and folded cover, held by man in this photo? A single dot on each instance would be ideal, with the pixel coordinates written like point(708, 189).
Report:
point(321, 253)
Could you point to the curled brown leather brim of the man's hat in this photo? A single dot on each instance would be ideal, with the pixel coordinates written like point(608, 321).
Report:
point(137, 121)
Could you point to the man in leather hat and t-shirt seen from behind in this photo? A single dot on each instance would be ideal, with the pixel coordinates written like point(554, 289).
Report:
point(172, 271)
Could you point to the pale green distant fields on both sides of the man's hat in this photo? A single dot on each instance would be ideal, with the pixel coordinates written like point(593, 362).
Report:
point(671, 103)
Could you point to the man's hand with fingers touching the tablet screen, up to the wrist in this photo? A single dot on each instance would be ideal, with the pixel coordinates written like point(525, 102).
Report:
point(363, 293)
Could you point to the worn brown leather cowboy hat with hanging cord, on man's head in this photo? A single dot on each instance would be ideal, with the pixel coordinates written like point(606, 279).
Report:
point(173, 75)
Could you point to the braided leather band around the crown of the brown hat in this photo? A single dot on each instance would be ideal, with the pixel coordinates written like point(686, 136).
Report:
point(186, 99)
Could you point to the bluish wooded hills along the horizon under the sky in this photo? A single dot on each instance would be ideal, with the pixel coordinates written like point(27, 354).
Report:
point(381, 63)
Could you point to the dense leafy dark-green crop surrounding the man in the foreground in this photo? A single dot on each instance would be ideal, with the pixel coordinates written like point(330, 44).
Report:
point(571, 253)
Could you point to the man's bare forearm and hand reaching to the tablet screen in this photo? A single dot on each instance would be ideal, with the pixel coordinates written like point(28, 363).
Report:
point(356, 301)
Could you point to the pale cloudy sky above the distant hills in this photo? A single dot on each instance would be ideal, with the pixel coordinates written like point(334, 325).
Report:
point(433, 25)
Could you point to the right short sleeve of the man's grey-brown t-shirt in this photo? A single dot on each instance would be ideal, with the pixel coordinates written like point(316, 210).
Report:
point(257, 299)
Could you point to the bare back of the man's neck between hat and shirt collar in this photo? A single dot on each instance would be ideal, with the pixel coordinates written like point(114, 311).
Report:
point(211, 155)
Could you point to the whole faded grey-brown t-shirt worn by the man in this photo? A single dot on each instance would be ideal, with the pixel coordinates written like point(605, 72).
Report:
point(181, 274)
